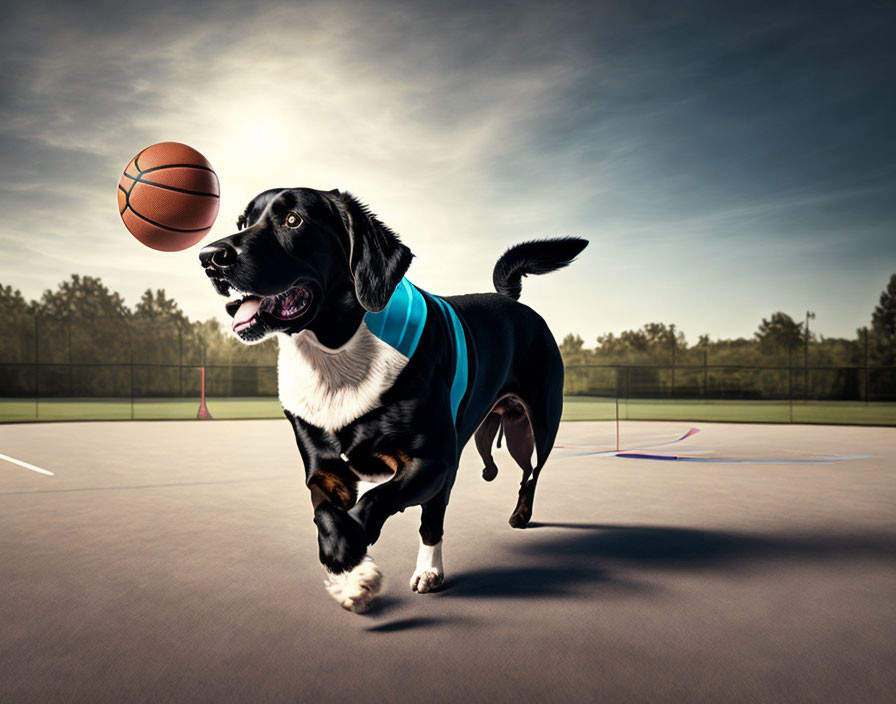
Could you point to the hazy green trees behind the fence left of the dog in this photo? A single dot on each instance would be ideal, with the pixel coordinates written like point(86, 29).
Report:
point(82, 340)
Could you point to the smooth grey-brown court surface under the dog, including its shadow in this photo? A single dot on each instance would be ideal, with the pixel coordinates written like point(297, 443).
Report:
point(177, 561)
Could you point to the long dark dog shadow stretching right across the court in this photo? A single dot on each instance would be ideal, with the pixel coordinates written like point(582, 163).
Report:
point(563, 557)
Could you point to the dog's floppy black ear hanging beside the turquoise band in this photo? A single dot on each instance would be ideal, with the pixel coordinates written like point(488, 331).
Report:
point(377, 258)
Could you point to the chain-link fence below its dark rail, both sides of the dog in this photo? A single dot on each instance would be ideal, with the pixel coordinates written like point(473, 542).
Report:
point(82, 391)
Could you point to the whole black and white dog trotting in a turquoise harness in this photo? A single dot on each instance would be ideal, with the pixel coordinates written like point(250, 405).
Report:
point(384, 383)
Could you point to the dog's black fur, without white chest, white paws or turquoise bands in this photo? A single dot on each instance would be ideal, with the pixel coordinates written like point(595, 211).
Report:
point(351, 263)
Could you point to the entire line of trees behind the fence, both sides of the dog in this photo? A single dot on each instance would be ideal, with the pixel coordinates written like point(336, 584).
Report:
point(89, 342)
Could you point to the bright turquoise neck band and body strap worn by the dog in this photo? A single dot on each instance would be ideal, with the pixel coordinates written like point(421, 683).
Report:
point(400, 325)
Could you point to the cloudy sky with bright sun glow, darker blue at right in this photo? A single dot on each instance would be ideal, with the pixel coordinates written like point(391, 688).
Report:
point(725, 160)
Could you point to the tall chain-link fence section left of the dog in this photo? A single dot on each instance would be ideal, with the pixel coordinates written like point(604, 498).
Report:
point(118, 368)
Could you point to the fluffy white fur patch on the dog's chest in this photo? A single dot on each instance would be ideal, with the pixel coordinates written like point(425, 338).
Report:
point(330, 388)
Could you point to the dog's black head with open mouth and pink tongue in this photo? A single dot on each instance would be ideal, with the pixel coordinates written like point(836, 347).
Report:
point(301, 254)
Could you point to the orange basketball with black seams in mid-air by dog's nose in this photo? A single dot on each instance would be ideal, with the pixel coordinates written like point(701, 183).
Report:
point(168, 196)
